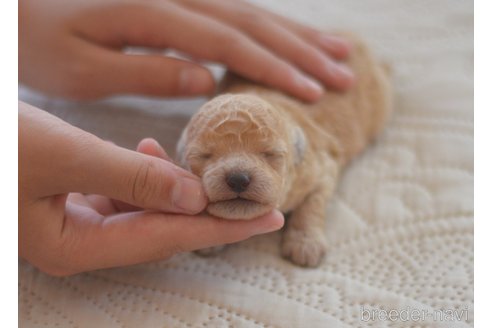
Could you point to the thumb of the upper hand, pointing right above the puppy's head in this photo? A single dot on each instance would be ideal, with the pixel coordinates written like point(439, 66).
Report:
point(151, 75)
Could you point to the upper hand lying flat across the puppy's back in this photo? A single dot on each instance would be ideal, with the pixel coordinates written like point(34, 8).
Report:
point(75, 49)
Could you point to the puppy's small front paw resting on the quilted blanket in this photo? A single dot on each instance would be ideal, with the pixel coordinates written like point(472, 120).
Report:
point(304, 247)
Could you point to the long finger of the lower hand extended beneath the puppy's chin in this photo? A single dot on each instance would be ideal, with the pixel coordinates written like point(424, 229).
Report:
point(131, 238)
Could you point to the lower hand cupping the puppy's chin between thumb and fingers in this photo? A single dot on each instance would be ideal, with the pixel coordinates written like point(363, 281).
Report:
point(81, 202)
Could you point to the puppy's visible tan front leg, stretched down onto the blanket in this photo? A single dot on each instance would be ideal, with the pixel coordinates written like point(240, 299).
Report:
point(304, 240)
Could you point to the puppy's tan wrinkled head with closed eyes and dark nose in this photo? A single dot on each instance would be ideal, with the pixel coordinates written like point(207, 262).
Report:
point(242, 148)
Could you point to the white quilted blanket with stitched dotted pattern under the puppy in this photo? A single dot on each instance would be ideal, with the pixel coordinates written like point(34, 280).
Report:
point(400, 226)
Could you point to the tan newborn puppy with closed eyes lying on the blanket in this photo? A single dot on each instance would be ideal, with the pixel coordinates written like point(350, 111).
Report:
point(257, 149)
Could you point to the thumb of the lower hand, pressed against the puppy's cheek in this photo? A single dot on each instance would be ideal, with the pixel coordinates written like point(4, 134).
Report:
point(140, 180)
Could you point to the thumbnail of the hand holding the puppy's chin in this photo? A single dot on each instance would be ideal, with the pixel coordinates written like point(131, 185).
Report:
point(188, 195)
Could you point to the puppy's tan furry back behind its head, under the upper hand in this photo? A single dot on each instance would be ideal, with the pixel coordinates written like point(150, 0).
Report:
point(353, 118)
